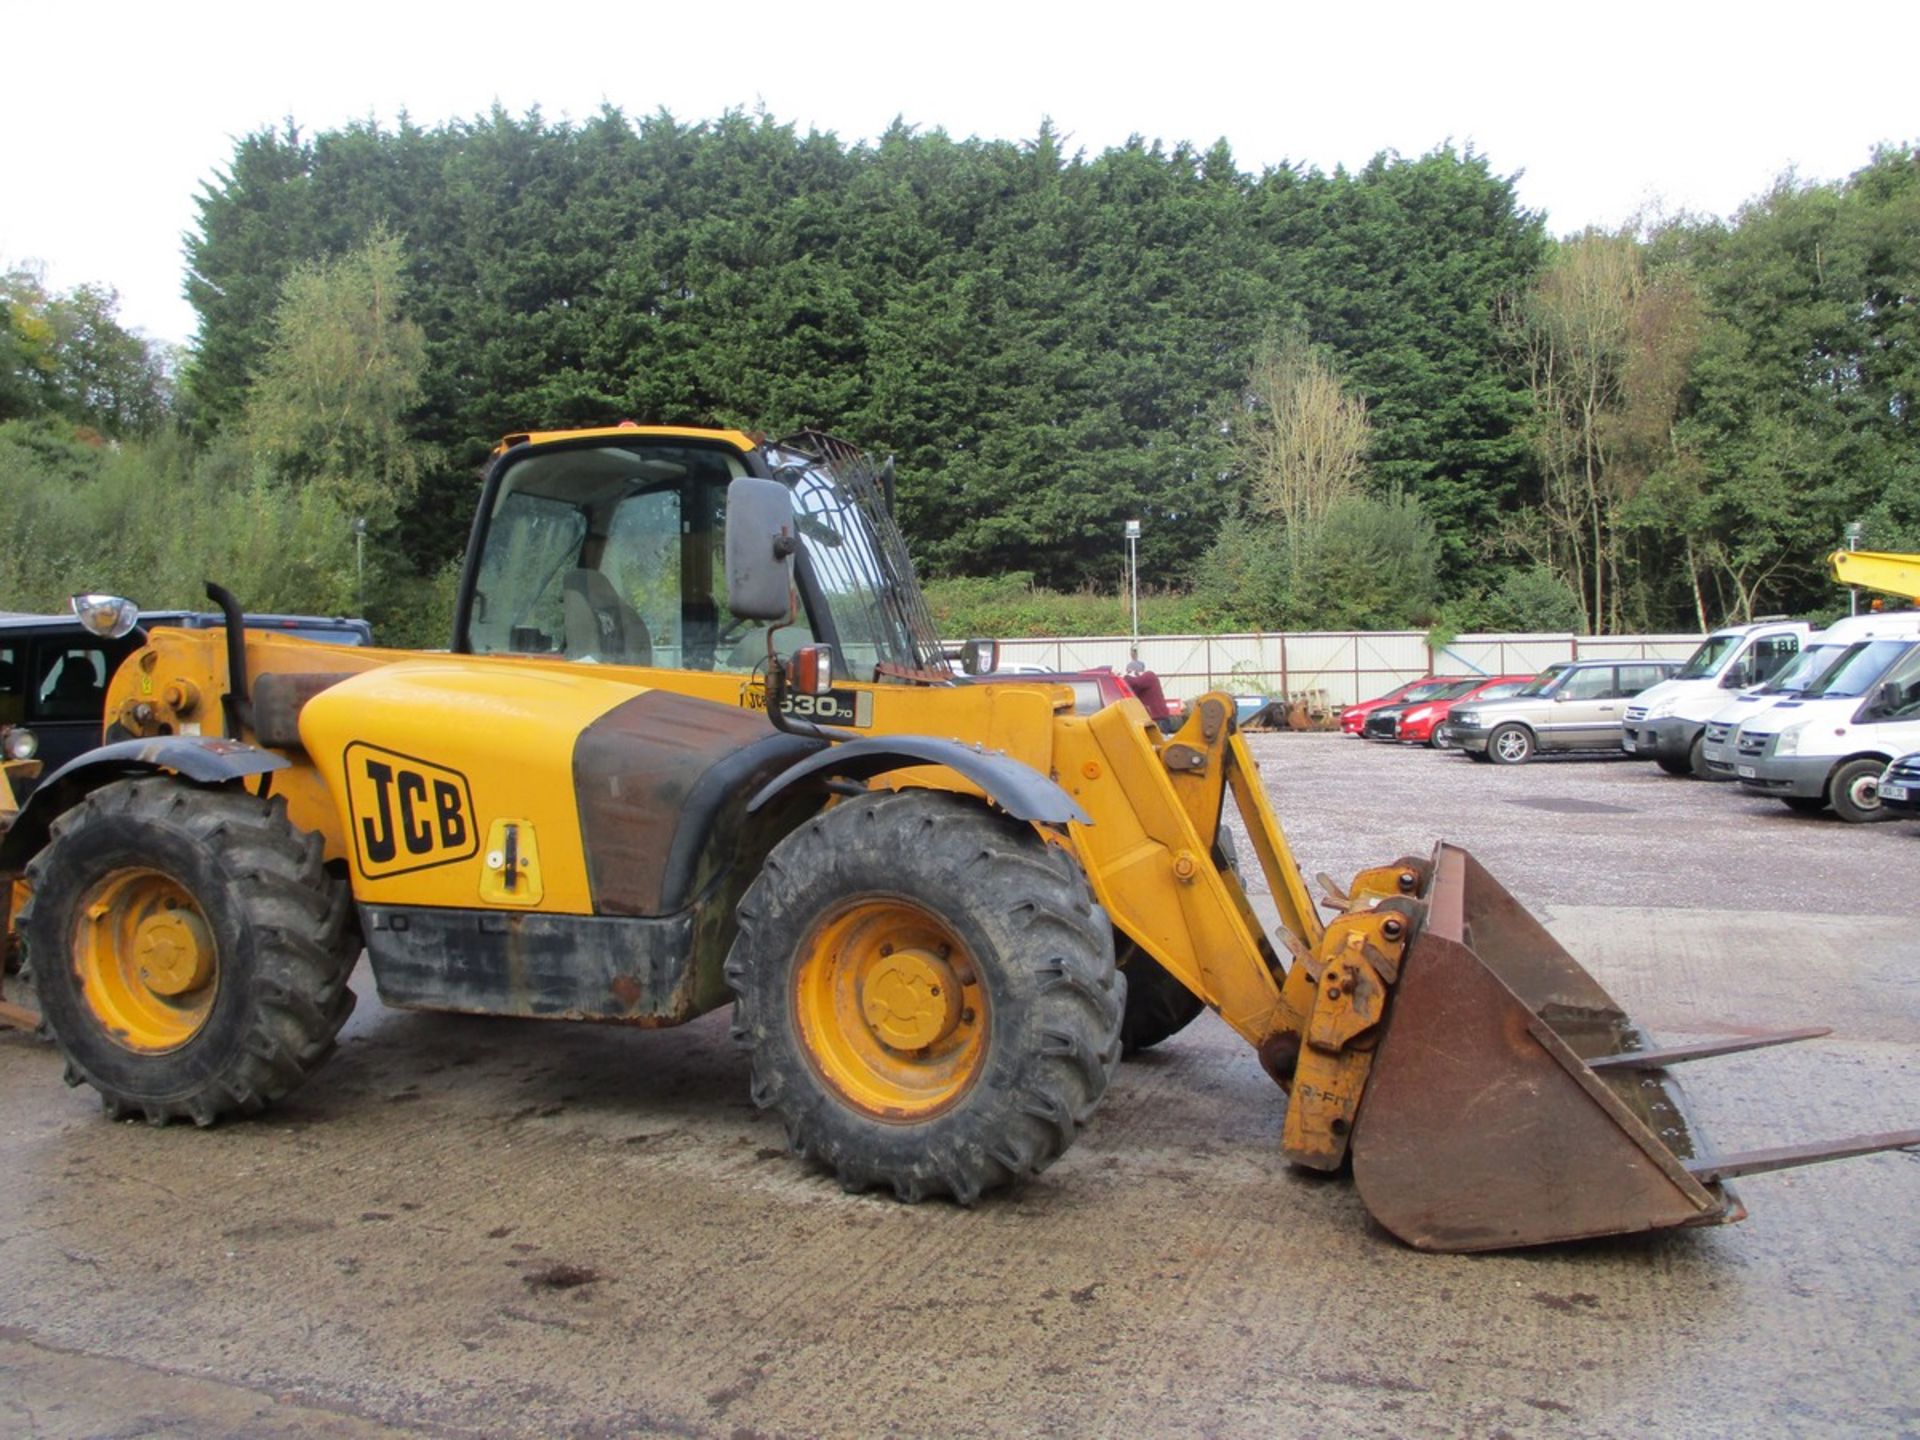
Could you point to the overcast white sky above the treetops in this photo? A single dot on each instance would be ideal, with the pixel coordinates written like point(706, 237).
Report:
point(114, 114)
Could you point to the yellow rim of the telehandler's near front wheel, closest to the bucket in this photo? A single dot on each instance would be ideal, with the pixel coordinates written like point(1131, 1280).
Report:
point(892, 1009)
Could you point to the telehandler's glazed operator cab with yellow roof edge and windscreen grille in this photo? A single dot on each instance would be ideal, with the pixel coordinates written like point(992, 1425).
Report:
point(610, 548)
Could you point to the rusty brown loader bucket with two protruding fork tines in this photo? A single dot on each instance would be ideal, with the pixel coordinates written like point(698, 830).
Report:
point(1514, 1103)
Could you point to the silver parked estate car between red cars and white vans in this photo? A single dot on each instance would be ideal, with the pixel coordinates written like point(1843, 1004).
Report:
point(1577, 706)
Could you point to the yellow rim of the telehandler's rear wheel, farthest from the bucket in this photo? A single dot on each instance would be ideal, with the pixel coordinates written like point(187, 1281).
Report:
point(147, 961)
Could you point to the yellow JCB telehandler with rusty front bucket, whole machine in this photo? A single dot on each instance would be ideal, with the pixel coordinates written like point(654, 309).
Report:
point(698, 744)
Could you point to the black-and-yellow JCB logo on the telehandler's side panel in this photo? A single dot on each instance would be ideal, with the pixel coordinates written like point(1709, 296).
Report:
point(408, 813)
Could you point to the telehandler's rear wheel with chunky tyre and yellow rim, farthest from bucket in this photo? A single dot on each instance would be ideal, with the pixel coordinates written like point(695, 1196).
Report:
point(189, 949)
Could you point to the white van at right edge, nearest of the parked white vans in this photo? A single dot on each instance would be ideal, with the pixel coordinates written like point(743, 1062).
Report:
point(1833, 744)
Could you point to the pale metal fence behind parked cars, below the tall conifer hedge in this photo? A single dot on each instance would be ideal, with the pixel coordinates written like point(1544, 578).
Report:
point(1337, 667)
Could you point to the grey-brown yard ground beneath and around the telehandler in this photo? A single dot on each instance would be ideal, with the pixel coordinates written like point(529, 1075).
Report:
point(516, 1230)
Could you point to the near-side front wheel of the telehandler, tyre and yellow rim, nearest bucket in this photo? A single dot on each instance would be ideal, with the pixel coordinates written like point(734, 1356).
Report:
point(928, 996)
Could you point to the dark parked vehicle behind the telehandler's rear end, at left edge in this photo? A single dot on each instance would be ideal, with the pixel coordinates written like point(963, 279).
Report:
point(55, 675)
